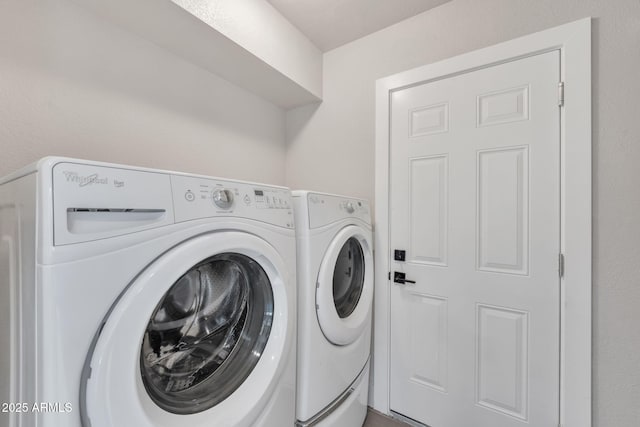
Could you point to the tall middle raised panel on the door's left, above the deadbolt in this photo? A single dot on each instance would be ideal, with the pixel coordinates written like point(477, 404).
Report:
point(428, 210)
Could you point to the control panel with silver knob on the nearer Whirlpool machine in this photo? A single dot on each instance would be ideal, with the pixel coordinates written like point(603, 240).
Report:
point(196, 197)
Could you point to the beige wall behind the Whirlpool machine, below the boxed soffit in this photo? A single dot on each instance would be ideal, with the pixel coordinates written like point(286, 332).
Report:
point(72, 84)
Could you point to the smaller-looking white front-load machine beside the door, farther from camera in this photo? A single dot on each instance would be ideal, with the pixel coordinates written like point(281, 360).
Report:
point(335, 292)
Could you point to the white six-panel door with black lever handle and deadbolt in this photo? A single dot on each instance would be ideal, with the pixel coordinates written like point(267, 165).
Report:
point(475, 191)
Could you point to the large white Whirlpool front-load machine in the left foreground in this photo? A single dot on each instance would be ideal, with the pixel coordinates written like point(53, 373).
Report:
point(141, 298)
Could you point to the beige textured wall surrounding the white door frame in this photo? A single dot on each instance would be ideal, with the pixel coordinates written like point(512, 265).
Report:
point(331, 148)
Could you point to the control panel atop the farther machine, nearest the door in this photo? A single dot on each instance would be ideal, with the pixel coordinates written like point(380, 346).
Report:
point(325, 209)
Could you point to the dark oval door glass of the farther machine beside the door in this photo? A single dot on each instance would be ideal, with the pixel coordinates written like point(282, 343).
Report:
point(348, 277)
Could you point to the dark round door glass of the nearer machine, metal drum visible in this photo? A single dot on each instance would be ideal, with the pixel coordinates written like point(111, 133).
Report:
point(207, 334)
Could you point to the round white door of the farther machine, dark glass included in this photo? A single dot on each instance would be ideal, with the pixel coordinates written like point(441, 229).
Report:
point(345, 286)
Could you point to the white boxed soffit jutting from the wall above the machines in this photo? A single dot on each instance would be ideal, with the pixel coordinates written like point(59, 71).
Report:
point(181, 29)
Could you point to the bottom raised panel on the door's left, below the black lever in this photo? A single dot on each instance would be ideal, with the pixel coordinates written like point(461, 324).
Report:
point(428, 356)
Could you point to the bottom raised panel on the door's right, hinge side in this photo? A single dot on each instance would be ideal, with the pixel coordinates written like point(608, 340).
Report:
point(501, 360)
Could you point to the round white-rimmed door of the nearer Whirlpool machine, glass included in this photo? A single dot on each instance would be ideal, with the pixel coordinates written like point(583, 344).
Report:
point(198, 337)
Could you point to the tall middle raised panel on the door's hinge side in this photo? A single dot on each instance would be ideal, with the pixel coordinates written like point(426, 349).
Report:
point(503, 210)
